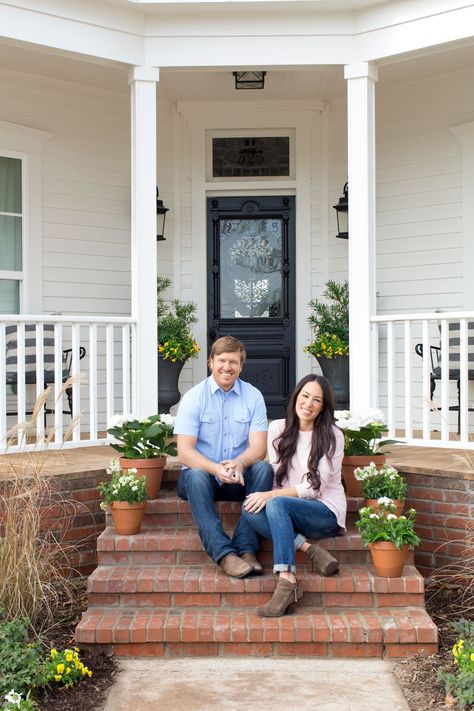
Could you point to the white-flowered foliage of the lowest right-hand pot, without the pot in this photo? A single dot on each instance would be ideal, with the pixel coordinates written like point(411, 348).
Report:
point(384, 525)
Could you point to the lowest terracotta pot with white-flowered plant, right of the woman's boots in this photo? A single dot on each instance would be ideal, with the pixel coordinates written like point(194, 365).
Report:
point(387, 536)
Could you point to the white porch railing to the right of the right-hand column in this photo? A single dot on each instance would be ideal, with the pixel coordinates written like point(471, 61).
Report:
point(405, 380)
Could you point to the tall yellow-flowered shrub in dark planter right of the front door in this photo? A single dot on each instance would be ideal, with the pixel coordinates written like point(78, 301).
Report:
point(330, 345)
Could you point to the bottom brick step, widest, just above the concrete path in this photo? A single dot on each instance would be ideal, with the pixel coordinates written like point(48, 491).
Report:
point(389, 632)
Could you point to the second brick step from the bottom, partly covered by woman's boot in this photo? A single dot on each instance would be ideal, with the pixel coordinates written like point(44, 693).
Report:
point(185, 586)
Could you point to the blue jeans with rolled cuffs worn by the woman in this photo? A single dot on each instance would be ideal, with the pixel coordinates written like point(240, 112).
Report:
point(287, 521)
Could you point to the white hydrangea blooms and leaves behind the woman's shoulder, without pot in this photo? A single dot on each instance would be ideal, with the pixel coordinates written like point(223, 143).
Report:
point(362, 431)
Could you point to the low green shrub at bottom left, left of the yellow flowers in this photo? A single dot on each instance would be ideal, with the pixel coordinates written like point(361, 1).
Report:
point(21, 661)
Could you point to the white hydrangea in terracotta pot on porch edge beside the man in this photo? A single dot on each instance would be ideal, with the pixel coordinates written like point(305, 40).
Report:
point(144, 445)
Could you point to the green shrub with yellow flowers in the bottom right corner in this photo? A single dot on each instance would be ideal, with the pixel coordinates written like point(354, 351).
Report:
point(460, 683)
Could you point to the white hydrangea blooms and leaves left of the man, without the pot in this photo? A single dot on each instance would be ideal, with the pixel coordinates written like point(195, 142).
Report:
point(143, 439)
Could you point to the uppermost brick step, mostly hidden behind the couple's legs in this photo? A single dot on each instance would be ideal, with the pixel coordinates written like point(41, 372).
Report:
point(169, 510)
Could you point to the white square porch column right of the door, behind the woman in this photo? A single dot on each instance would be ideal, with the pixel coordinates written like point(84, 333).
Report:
point(361, 78)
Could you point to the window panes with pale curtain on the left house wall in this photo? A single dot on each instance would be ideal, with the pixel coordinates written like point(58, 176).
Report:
point(11, 234)
